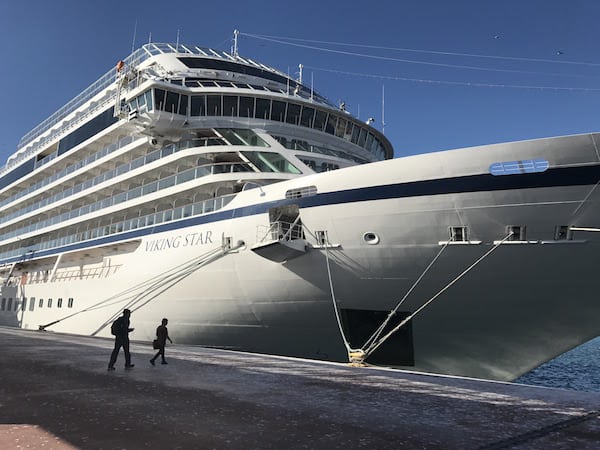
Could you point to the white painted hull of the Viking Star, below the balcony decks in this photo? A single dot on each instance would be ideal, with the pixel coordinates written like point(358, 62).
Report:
point(521, 305)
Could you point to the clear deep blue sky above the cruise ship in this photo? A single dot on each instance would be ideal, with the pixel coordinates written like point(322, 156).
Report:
point(436, 95)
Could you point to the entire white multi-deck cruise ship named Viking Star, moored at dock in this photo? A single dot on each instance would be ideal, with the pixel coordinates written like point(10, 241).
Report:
point(256, 215)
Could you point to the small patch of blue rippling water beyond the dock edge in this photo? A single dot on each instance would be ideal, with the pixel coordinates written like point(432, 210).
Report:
point(578, 369)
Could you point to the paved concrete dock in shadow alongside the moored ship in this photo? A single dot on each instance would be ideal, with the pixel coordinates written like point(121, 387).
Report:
point(55, 393)
